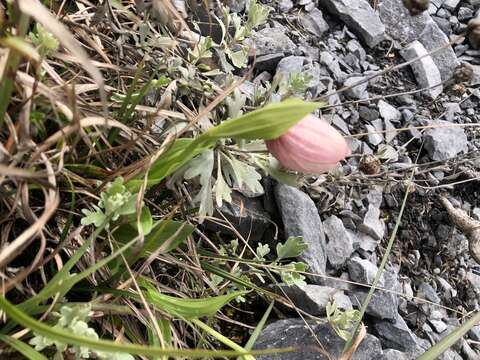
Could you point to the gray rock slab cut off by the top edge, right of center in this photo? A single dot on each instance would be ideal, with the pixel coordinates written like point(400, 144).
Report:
point(359, 16)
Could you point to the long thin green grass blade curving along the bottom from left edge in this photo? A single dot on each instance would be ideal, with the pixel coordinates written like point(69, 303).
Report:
point(40, 328)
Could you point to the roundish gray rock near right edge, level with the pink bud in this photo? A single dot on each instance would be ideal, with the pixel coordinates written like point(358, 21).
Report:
point(443, 143)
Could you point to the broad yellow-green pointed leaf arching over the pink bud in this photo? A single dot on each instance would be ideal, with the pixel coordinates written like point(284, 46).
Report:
point(267, 123)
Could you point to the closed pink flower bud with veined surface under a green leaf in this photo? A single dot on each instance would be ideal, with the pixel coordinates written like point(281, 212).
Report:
point(312, 146)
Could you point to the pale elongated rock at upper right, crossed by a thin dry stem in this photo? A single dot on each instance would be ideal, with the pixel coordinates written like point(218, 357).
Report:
point(425, 71)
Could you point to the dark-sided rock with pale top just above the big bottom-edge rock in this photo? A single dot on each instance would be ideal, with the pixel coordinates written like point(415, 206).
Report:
point(314, 298)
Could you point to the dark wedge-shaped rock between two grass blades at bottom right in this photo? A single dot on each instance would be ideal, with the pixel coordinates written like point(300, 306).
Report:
point(397, 335)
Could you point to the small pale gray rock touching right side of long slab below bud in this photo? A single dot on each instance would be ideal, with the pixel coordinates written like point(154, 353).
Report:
point(340, 242)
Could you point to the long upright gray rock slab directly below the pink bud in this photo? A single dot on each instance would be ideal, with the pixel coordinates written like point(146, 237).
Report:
point(300, 218)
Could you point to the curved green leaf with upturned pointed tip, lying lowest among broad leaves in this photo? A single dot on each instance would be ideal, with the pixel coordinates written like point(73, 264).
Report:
point(187, 308)
